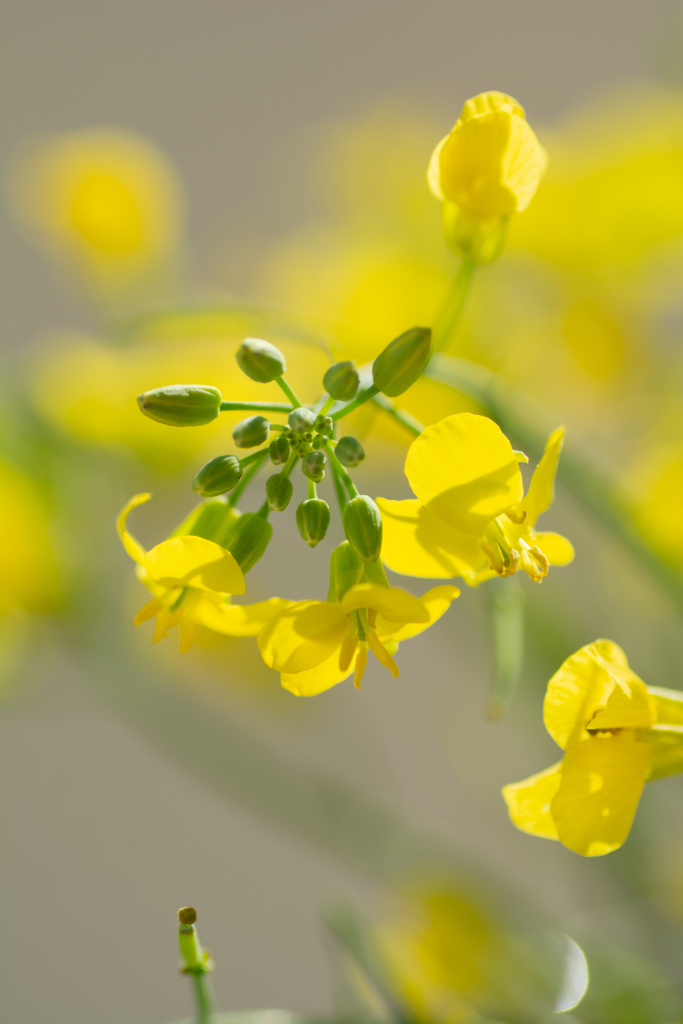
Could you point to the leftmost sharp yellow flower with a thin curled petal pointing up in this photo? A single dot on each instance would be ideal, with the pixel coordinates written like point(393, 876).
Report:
point(192, 580)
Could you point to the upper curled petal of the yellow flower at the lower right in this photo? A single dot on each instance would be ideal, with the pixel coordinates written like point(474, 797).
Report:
point(581, 687)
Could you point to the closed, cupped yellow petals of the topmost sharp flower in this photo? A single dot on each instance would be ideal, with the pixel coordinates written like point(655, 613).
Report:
point(491, 164)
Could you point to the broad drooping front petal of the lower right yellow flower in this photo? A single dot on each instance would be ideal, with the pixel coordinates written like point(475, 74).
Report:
point(603, 780)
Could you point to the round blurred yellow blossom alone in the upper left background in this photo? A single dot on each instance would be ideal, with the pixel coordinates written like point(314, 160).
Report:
point(107, 200)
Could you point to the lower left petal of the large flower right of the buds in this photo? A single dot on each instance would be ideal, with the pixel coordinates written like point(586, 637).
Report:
point(415, 542)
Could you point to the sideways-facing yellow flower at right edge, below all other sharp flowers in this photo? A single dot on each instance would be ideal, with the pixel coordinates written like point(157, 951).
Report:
point(618, 734)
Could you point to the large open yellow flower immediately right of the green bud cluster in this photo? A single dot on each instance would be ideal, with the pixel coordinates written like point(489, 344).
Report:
point(471, 518)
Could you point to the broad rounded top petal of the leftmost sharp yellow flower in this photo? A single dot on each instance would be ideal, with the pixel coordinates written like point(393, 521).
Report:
point(194, 562)
